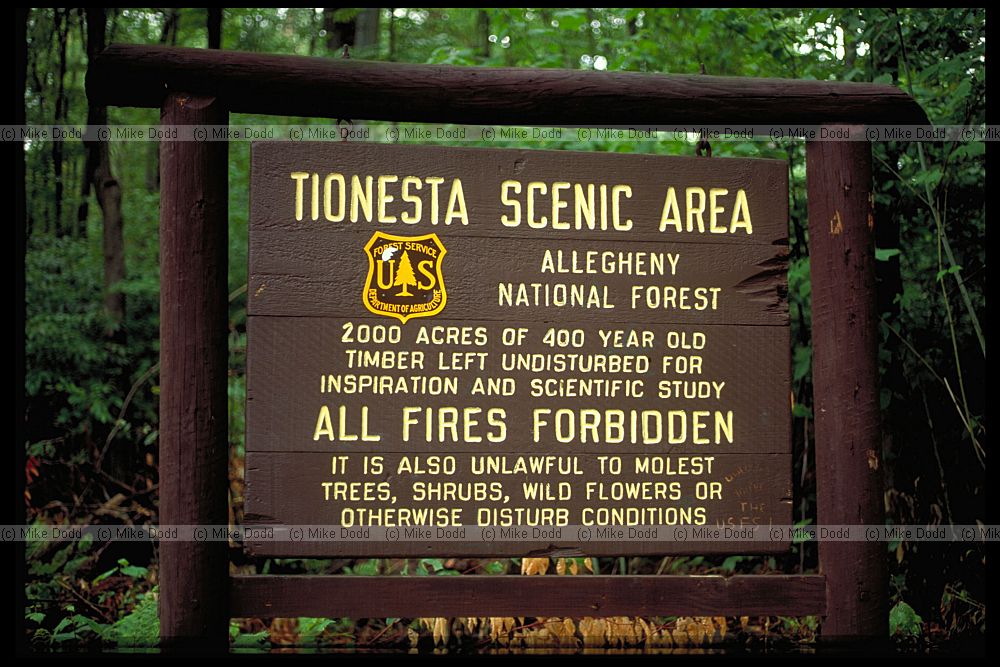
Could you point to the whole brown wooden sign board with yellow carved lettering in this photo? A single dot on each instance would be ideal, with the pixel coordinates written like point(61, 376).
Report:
point(451, 337)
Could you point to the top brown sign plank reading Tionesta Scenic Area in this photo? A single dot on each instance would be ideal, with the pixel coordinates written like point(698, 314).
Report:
point(643, 182)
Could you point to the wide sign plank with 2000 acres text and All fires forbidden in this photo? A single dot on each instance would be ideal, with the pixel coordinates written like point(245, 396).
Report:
point(312, 363)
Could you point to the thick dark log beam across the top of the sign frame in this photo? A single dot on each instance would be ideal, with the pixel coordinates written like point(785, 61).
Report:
point(140, 76)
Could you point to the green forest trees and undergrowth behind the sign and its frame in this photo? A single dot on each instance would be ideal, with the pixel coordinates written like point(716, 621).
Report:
point(91, 327)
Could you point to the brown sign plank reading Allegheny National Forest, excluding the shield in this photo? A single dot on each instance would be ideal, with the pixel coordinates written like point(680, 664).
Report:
point(699, 282)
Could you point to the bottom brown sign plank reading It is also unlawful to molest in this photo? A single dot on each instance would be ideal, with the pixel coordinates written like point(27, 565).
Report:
point(493, 490)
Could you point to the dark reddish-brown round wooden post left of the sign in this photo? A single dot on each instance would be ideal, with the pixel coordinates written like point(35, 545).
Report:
point(194, 605)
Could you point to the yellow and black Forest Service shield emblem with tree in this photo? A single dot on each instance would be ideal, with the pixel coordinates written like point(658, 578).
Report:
point(404, 276)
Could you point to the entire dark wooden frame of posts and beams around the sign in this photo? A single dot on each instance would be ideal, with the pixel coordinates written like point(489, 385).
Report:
point(192, 86)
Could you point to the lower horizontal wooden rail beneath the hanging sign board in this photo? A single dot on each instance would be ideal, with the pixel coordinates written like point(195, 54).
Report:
point(271, 596)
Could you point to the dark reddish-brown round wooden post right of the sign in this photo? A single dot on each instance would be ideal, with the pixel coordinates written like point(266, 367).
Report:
point(845, 384)
